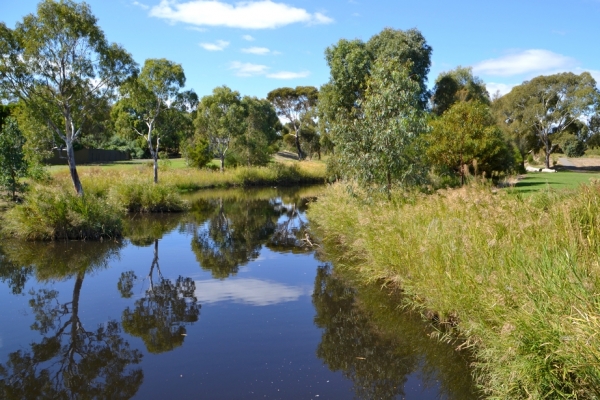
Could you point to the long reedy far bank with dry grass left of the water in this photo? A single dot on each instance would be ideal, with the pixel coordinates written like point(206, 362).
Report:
point(52, 211)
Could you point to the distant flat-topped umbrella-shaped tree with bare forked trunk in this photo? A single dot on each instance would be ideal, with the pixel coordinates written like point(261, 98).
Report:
point(295, 105)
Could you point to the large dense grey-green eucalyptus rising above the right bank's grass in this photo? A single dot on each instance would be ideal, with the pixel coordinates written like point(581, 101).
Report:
point(372, 108)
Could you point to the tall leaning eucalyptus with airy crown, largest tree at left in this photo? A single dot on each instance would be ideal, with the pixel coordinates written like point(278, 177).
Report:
point(61, 66)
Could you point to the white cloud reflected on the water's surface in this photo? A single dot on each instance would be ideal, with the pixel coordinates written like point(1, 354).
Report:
point(247, 291)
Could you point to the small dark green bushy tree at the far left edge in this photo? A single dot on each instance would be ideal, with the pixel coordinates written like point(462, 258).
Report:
point(13, 165)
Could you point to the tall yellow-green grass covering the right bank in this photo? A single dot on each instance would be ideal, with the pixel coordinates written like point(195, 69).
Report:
point(514, 278)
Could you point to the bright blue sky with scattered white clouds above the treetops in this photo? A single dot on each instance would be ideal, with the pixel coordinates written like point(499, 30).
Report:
point(257, 46)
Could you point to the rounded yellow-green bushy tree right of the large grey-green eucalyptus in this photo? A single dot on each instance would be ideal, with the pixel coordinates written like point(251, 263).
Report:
point(466, 135)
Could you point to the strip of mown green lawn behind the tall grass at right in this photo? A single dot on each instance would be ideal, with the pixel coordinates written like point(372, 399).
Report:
point(535, 181)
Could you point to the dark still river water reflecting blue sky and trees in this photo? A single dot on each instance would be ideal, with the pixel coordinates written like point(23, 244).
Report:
point(227, 301)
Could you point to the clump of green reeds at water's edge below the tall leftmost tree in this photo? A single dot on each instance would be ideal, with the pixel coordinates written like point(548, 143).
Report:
point(52, 213)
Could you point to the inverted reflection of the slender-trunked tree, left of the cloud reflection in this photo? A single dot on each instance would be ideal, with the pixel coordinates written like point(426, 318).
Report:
point(160, 317)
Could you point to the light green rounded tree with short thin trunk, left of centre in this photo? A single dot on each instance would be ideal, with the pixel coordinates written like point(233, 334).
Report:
point(219, 120)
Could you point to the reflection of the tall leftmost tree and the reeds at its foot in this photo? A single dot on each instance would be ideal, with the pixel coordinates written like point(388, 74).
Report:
point(71, 360)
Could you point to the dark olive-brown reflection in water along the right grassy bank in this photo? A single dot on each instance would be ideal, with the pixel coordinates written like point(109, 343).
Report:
point(377, 347)
